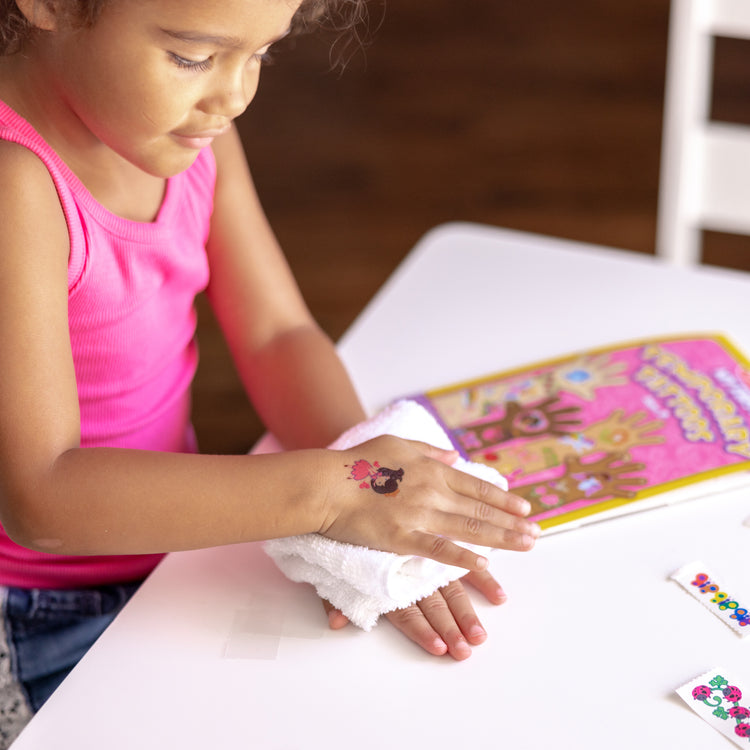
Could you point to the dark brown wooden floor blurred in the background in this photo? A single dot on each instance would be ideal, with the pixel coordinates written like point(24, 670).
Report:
point(540, 116)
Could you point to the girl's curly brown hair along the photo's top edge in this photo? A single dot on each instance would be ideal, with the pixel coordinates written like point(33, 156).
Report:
point(342, 15)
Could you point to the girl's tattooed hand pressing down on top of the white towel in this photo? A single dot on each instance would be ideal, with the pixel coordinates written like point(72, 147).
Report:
point(402, 496)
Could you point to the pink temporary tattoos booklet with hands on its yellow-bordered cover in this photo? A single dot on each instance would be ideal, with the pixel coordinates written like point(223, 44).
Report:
point(609, 431)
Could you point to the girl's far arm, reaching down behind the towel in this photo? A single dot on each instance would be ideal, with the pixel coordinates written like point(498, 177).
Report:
point(288, 365)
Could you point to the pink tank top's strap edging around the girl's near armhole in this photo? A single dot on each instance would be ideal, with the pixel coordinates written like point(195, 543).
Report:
point(16, 130)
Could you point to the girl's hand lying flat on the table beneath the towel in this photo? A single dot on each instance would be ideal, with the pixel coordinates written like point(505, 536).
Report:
point(444, 622)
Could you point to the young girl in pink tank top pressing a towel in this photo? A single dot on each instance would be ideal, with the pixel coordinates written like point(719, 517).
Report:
point(125, 192)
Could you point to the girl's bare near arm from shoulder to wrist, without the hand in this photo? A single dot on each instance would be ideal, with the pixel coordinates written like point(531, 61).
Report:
point(55, 496)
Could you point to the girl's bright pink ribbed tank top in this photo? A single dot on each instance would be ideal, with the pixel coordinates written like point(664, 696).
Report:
point(131, 288)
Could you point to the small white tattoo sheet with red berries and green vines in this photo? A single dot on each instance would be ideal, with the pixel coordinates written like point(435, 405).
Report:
point(722, 699)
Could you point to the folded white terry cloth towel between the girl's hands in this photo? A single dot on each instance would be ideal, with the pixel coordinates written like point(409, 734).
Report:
point(365, 583)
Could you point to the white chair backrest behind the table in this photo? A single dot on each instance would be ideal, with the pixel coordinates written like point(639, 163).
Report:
point(705, 167)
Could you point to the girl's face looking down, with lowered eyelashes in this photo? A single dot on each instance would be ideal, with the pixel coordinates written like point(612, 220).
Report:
point(156, 80)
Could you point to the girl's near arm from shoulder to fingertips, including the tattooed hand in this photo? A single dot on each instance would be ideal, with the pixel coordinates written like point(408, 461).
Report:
point(58, 497)
